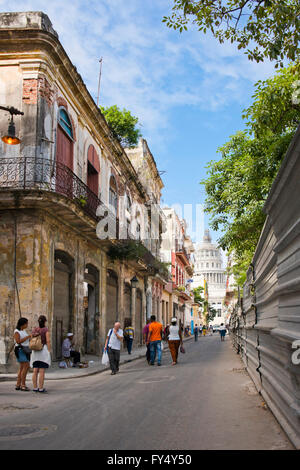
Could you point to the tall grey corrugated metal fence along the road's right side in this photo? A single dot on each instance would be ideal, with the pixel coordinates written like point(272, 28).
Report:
point(266, 324)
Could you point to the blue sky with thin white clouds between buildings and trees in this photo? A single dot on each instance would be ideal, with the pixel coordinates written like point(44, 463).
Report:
point(187, 89)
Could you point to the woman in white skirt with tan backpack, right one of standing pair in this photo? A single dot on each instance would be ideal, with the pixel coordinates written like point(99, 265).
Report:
point(40, 360)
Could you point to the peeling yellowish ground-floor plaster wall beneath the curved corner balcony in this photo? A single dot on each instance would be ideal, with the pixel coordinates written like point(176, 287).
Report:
point(37, 238)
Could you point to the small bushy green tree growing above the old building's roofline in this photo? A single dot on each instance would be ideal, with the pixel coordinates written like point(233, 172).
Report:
point(123, 124)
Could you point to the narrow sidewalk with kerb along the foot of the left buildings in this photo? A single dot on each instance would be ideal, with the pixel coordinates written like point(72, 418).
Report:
point(95, 366)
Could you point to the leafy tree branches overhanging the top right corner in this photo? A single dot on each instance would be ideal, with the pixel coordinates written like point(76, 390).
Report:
point(265, 28)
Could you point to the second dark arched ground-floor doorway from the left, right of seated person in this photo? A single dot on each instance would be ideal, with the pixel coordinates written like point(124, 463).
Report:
point(91, 310)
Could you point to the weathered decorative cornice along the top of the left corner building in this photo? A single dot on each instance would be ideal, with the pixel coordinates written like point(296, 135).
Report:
point(24, 43)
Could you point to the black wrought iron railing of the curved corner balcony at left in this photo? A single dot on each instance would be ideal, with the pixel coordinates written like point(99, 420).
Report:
point(43, 174)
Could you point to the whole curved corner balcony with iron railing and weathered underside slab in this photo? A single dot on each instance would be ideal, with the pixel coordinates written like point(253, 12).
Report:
point(39, 183)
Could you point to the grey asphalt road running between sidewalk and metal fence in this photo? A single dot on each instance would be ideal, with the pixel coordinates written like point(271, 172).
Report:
point(207, 401)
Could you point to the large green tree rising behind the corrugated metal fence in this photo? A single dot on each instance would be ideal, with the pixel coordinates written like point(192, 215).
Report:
point(238, 184)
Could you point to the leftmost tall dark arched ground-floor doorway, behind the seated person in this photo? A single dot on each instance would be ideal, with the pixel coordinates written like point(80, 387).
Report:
point(63, 299)
